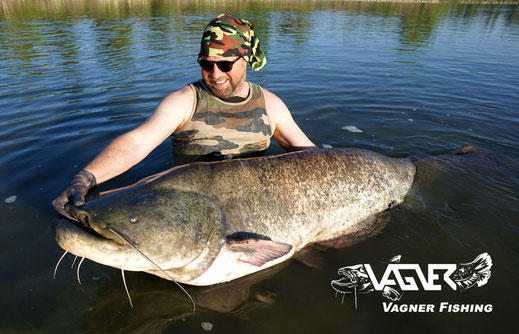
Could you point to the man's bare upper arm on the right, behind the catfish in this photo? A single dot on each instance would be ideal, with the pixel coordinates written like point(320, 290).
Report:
point(286, 131)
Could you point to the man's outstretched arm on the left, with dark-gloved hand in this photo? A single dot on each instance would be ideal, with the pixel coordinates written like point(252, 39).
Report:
point(129, 149)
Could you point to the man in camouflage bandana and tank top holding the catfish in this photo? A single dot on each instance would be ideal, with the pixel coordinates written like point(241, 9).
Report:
point(221, 116)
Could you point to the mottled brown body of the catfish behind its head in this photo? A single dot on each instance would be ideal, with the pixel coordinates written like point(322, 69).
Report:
point(320, 194)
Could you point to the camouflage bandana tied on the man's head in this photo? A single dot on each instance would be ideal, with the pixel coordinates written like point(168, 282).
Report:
point(226, 36)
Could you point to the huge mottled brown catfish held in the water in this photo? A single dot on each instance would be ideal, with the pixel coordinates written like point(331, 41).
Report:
point(212, 222)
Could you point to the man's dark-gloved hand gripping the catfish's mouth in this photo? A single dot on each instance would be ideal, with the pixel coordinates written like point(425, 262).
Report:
point(75, 192)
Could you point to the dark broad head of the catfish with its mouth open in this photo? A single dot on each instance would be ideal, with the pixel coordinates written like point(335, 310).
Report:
point(170, 233)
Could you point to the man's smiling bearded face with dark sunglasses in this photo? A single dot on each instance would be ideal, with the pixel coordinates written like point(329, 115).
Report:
point(225, 84)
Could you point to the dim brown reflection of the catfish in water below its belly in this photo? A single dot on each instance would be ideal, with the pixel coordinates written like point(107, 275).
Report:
point(159, 304)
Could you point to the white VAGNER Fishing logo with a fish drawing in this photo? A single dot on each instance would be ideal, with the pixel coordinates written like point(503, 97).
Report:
point(360, 279)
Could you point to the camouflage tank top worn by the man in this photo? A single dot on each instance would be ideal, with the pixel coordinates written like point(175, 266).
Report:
point(223, 128)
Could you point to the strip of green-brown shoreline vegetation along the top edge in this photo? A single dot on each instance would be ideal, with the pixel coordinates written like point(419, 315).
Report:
point(19, 10)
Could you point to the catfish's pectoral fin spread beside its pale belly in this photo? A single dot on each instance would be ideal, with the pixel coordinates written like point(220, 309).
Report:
point(258, 251)
